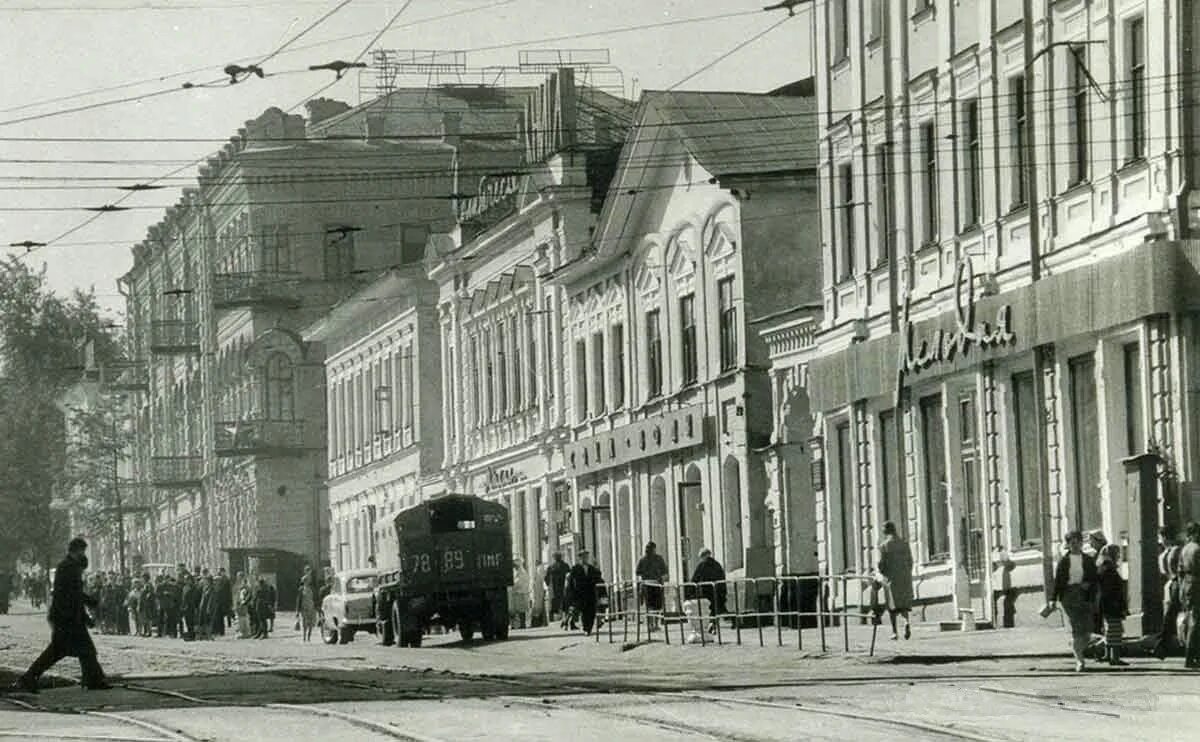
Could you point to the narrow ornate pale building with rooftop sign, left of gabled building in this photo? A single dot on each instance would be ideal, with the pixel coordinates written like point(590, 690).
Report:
point(506, 379)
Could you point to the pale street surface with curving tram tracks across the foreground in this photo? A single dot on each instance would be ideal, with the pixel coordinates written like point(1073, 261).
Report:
point(548, 685)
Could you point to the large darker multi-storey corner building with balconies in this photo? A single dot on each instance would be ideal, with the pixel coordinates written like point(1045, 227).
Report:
point(231, 420)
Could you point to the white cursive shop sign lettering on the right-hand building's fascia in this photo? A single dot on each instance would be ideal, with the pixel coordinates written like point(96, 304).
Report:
point(944, 345)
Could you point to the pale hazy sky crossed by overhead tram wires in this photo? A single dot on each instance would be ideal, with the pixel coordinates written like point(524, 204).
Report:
point(80, 50)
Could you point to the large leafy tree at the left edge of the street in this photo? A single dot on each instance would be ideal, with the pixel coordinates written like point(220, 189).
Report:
point(41, 342)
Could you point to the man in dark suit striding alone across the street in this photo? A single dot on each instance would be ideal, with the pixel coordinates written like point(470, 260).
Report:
point(69, 624)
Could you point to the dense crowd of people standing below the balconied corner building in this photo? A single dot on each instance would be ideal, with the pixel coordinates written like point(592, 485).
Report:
point(190, 605)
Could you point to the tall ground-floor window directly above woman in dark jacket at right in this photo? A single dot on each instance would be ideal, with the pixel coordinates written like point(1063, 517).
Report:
point(1085, 432)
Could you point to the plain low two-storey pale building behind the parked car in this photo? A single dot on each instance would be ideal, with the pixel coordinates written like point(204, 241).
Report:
point(383, 370)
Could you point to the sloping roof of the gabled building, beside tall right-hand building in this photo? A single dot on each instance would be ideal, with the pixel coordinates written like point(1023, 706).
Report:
point(741, 134)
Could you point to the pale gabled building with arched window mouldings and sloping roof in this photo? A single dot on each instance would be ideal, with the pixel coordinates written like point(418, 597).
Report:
point(709, 224)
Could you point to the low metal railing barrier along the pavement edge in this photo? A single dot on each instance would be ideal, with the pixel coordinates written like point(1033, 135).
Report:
point(761, 607)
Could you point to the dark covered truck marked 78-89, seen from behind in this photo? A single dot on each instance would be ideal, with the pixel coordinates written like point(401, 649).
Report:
point(455, 571)
